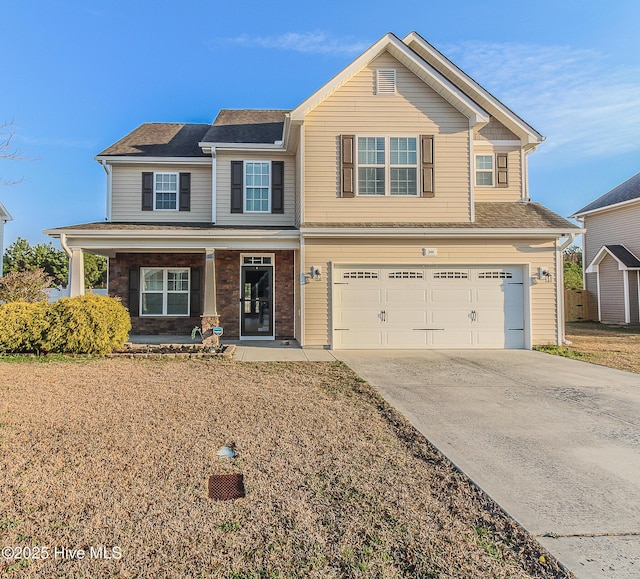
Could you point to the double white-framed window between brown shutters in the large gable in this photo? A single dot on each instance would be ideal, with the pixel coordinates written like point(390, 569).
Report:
point(387, 165)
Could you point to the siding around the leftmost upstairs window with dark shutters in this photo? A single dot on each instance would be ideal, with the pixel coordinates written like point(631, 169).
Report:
point(127, 194)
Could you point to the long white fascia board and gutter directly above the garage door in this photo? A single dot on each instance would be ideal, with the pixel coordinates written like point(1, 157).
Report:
point(354, 232)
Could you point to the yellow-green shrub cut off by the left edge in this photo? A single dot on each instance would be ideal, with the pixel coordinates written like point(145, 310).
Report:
point(22, 326)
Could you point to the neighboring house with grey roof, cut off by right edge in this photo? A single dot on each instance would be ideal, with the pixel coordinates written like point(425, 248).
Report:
point(611, 252)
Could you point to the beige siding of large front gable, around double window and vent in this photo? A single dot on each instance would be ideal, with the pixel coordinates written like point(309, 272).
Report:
point(416, 109)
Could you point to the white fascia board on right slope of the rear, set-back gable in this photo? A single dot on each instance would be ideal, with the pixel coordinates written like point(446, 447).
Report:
point(426, 51)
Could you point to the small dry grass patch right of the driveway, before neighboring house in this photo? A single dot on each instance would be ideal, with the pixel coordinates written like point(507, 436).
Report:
point(607, 345)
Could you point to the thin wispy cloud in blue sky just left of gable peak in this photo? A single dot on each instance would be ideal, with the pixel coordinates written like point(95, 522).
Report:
point(306, 42)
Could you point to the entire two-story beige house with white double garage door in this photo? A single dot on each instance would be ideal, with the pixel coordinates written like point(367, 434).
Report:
point(388, 210)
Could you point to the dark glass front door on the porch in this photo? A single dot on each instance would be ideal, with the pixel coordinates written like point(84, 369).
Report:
point(256, 302)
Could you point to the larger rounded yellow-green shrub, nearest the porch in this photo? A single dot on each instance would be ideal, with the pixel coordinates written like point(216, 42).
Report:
point(89, 324)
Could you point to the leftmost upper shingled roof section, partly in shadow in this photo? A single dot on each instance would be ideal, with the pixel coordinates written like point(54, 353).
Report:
point(161, 140)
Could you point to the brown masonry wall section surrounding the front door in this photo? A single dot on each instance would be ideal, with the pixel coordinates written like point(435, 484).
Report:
point(228, 292)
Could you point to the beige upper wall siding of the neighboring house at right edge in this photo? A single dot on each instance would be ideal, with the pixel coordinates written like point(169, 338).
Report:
point(618, 226)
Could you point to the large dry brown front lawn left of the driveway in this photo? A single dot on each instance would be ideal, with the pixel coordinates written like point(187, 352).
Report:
point(116, 453)
